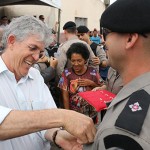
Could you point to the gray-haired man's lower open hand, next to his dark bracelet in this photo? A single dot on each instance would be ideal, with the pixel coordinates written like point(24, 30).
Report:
point(67, 142)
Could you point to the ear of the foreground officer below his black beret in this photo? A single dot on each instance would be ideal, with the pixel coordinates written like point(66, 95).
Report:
point(131, 40)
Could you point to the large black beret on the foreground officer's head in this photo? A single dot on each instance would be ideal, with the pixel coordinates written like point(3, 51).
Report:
point(127, 16)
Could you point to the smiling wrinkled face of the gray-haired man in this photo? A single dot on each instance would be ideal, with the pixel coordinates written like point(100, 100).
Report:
point(25, 54)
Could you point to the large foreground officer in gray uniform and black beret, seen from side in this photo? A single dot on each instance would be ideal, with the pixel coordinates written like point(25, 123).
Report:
point(126, 29)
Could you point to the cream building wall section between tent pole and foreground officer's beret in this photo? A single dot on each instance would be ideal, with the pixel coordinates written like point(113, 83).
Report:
point(90, 9)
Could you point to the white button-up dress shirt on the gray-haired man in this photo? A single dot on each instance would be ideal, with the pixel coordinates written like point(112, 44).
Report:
point(30, 93)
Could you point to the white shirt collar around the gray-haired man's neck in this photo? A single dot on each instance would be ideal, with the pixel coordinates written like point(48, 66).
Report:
point(4, 68)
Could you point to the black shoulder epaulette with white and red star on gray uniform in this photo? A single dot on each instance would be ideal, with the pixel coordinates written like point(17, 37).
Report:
point(133, 115)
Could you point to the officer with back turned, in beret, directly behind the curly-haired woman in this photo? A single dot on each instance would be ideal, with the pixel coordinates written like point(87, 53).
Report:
point(70, 35)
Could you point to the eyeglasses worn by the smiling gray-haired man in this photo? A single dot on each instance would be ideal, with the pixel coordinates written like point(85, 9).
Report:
point(35, 50)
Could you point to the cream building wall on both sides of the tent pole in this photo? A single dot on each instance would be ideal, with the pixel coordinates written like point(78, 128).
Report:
point(90, 9)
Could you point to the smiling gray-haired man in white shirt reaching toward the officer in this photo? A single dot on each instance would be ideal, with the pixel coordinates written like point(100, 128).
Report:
point(28, 112)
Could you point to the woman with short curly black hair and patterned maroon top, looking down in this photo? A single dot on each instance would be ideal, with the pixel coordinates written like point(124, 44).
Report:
point(78, 78)
